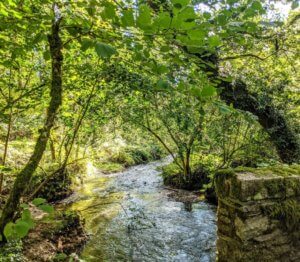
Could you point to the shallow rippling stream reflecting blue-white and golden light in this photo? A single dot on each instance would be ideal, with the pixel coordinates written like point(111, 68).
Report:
point(131, 217)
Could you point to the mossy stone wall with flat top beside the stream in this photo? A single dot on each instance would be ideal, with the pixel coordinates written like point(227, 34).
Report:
point(258, 216)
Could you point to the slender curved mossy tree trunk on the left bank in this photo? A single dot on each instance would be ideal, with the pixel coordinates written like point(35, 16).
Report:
point(24, 176)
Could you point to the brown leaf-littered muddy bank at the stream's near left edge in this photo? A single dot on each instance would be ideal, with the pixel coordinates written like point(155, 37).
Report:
point(56, 238)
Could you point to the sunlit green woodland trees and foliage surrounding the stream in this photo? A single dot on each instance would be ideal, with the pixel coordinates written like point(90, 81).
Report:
point(213, 84)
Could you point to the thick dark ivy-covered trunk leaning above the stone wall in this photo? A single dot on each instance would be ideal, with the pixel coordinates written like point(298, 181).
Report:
point(270, 118)
